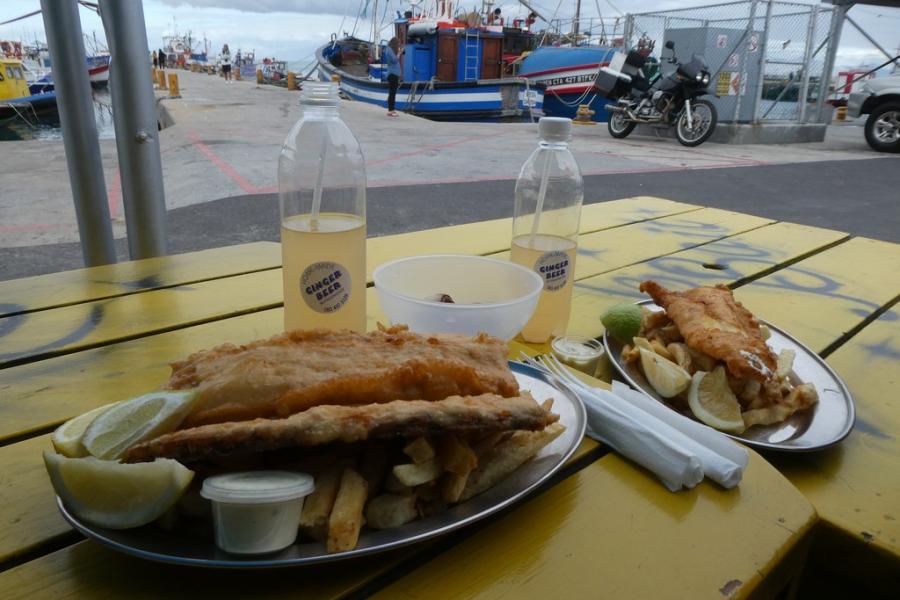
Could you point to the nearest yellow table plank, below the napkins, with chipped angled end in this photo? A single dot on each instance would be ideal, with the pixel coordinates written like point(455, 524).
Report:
point(613, 531)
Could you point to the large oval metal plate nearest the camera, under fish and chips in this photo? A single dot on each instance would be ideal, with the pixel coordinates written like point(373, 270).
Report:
point(199, 550)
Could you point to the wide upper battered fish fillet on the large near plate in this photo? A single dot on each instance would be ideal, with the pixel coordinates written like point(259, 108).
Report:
point(296, 370)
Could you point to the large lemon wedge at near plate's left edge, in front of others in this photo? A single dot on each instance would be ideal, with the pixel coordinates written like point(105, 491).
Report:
point(116, 495)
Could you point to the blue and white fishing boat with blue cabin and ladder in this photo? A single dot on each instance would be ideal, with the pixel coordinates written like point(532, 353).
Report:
point(453, 68)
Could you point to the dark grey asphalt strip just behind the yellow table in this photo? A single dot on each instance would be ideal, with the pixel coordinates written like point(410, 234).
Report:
point(861, 197)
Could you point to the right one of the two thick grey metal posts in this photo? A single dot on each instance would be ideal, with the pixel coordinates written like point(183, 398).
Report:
point(137, 138)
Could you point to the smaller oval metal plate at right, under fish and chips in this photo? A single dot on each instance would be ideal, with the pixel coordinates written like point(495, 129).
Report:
point(829, 421)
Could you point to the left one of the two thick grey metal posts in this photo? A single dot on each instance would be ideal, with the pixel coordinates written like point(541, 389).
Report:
point(76, 115)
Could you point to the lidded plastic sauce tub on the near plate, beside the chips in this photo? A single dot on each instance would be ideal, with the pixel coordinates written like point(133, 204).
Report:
point(255, 512)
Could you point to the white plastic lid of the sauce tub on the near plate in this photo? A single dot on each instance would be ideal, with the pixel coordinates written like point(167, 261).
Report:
point(257, 487)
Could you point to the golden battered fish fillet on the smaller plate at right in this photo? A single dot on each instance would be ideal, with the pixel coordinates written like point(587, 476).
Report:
point(713, 322)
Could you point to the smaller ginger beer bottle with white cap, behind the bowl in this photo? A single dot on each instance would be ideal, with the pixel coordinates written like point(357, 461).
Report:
point(549, 193)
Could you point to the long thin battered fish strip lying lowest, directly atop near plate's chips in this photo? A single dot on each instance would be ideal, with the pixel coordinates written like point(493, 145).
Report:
point(320, 425)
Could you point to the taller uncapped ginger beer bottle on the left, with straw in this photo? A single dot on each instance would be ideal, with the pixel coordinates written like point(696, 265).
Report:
point(322, 193)
